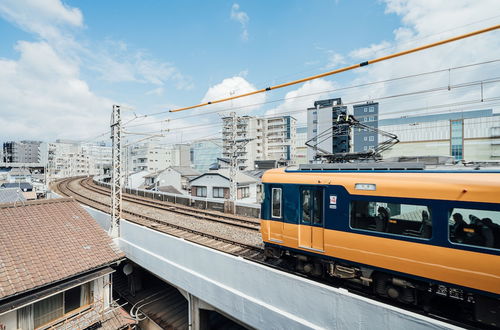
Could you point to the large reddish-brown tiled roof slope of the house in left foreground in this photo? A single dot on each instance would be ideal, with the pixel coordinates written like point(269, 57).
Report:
point(46, 241)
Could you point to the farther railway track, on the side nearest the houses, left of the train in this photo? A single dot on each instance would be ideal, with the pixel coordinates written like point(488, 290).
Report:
point(238, 221)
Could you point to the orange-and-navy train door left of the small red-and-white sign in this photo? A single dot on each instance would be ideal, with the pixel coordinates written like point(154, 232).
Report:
point(311, 225)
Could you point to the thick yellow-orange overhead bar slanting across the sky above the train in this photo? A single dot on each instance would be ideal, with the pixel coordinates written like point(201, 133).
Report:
point(344, 69)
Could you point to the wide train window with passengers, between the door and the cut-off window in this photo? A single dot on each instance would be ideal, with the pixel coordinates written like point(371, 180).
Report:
point(393, 218)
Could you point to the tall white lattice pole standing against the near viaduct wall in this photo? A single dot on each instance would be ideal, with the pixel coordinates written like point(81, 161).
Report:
point(116, 189)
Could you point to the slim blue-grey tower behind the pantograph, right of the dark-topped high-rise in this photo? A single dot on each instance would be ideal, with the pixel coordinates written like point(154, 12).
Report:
point(367, 114)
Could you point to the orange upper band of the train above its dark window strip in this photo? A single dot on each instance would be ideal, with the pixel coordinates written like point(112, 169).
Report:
point(441, 184)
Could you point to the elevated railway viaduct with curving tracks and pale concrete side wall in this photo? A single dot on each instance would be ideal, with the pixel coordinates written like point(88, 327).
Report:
point(216, 261)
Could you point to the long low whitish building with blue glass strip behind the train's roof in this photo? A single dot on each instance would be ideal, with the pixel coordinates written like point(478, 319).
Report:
point(465, 135)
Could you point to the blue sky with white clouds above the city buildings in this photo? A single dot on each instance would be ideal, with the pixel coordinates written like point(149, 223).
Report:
point(64, 63)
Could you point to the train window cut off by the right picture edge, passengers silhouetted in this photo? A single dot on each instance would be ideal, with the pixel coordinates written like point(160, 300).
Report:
point(475, 227)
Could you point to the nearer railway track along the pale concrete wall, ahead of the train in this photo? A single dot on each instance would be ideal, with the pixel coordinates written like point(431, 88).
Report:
point(210, 240)
